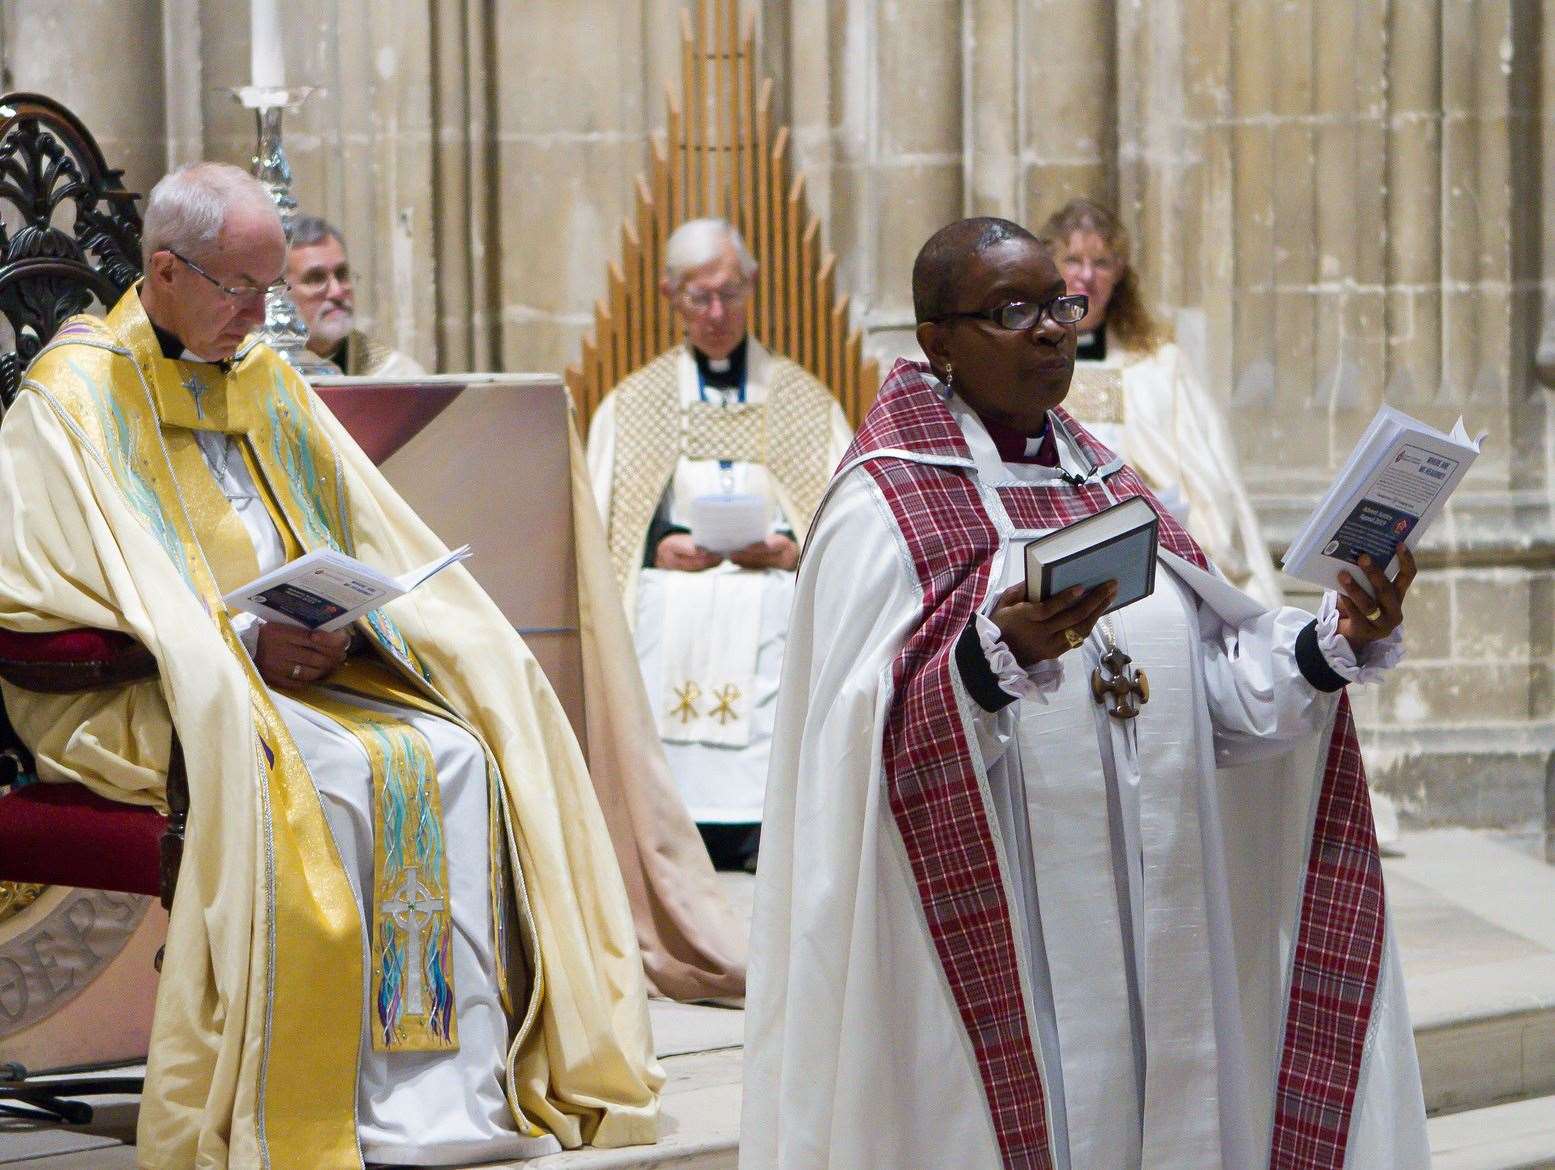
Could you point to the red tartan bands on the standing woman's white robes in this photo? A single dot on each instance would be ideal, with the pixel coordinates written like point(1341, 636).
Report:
point(945, 824)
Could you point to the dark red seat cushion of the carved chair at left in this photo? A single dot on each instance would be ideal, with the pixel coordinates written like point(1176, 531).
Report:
point(66, 835)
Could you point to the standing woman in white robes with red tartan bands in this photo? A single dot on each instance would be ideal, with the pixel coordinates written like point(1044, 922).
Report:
point(999, 922)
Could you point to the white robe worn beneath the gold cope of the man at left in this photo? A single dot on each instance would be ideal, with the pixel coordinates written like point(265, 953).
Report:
point(413, 1109)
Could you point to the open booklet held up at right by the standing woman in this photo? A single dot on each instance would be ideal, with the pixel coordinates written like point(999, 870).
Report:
point(1396, 483)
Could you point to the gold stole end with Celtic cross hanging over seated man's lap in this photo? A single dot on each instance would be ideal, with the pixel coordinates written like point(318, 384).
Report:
point(413, 930)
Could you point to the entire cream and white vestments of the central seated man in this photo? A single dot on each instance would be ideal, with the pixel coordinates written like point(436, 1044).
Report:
point(711, 643)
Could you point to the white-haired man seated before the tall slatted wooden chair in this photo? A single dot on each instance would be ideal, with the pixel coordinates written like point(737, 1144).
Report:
point(713, 429)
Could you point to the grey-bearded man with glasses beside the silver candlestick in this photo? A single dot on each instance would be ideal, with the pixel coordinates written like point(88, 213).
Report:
point(321, 279)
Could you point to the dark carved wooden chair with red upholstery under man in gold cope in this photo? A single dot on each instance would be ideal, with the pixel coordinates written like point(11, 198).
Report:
point(69, 237)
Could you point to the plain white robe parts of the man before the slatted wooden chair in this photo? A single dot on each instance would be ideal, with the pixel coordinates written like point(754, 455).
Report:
point(679, 620)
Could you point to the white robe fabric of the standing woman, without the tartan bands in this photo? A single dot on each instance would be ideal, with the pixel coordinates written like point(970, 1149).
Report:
point(1155, 869)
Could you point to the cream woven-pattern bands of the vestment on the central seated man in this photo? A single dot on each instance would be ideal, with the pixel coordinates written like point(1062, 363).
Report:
point(789, 435)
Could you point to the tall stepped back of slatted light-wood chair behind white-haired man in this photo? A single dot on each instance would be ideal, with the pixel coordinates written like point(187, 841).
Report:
point(722, 156)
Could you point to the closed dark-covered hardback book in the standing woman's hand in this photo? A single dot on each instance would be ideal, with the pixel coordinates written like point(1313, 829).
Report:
point(1117, 544)
